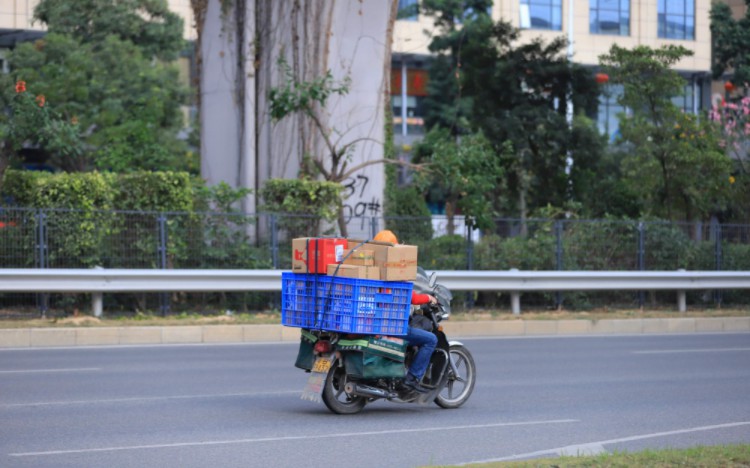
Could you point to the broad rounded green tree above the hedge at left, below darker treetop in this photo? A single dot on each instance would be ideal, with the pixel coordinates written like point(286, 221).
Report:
point(128, 107)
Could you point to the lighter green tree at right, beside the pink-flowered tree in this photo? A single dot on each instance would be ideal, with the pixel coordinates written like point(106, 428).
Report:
point(674, 161)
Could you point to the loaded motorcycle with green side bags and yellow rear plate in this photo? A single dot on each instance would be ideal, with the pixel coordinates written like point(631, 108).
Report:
point(350, 371)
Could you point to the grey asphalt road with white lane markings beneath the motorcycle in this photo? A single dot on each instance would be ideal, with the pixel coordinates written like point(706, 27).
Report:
point(239, 405)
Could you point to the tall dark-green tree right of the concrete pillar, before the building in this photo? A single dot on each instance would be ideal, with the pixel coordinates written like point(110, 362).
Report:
point(513, 91)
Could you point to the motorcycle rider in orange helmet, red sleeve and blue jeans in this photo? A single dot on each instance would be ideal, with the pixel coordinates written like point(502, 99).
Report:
point(425, 340)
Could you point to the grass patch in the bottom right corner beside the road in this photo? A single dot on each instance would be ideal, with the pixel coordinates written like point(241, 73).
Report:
point(729, 456)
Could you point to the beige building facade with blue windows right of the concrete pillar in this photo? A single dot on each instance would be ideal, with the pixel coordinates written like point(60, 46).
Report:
point(591, 27)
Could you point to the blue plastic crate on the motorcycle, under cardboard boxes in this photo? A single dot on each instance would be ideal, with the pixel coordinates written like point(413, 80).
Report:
point(346, 305)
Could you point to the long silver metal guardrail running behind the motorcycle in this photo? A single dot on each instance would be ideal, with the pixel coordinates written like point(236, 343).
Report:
point(98, 281)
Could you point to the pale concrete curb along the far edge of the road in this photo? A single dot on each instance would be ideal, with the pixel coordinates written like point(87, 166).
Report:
point(107, 336)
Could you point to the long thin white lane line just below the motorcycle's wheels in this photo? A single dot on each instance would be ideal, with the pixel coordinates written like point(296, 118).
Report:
point(290, 438)
